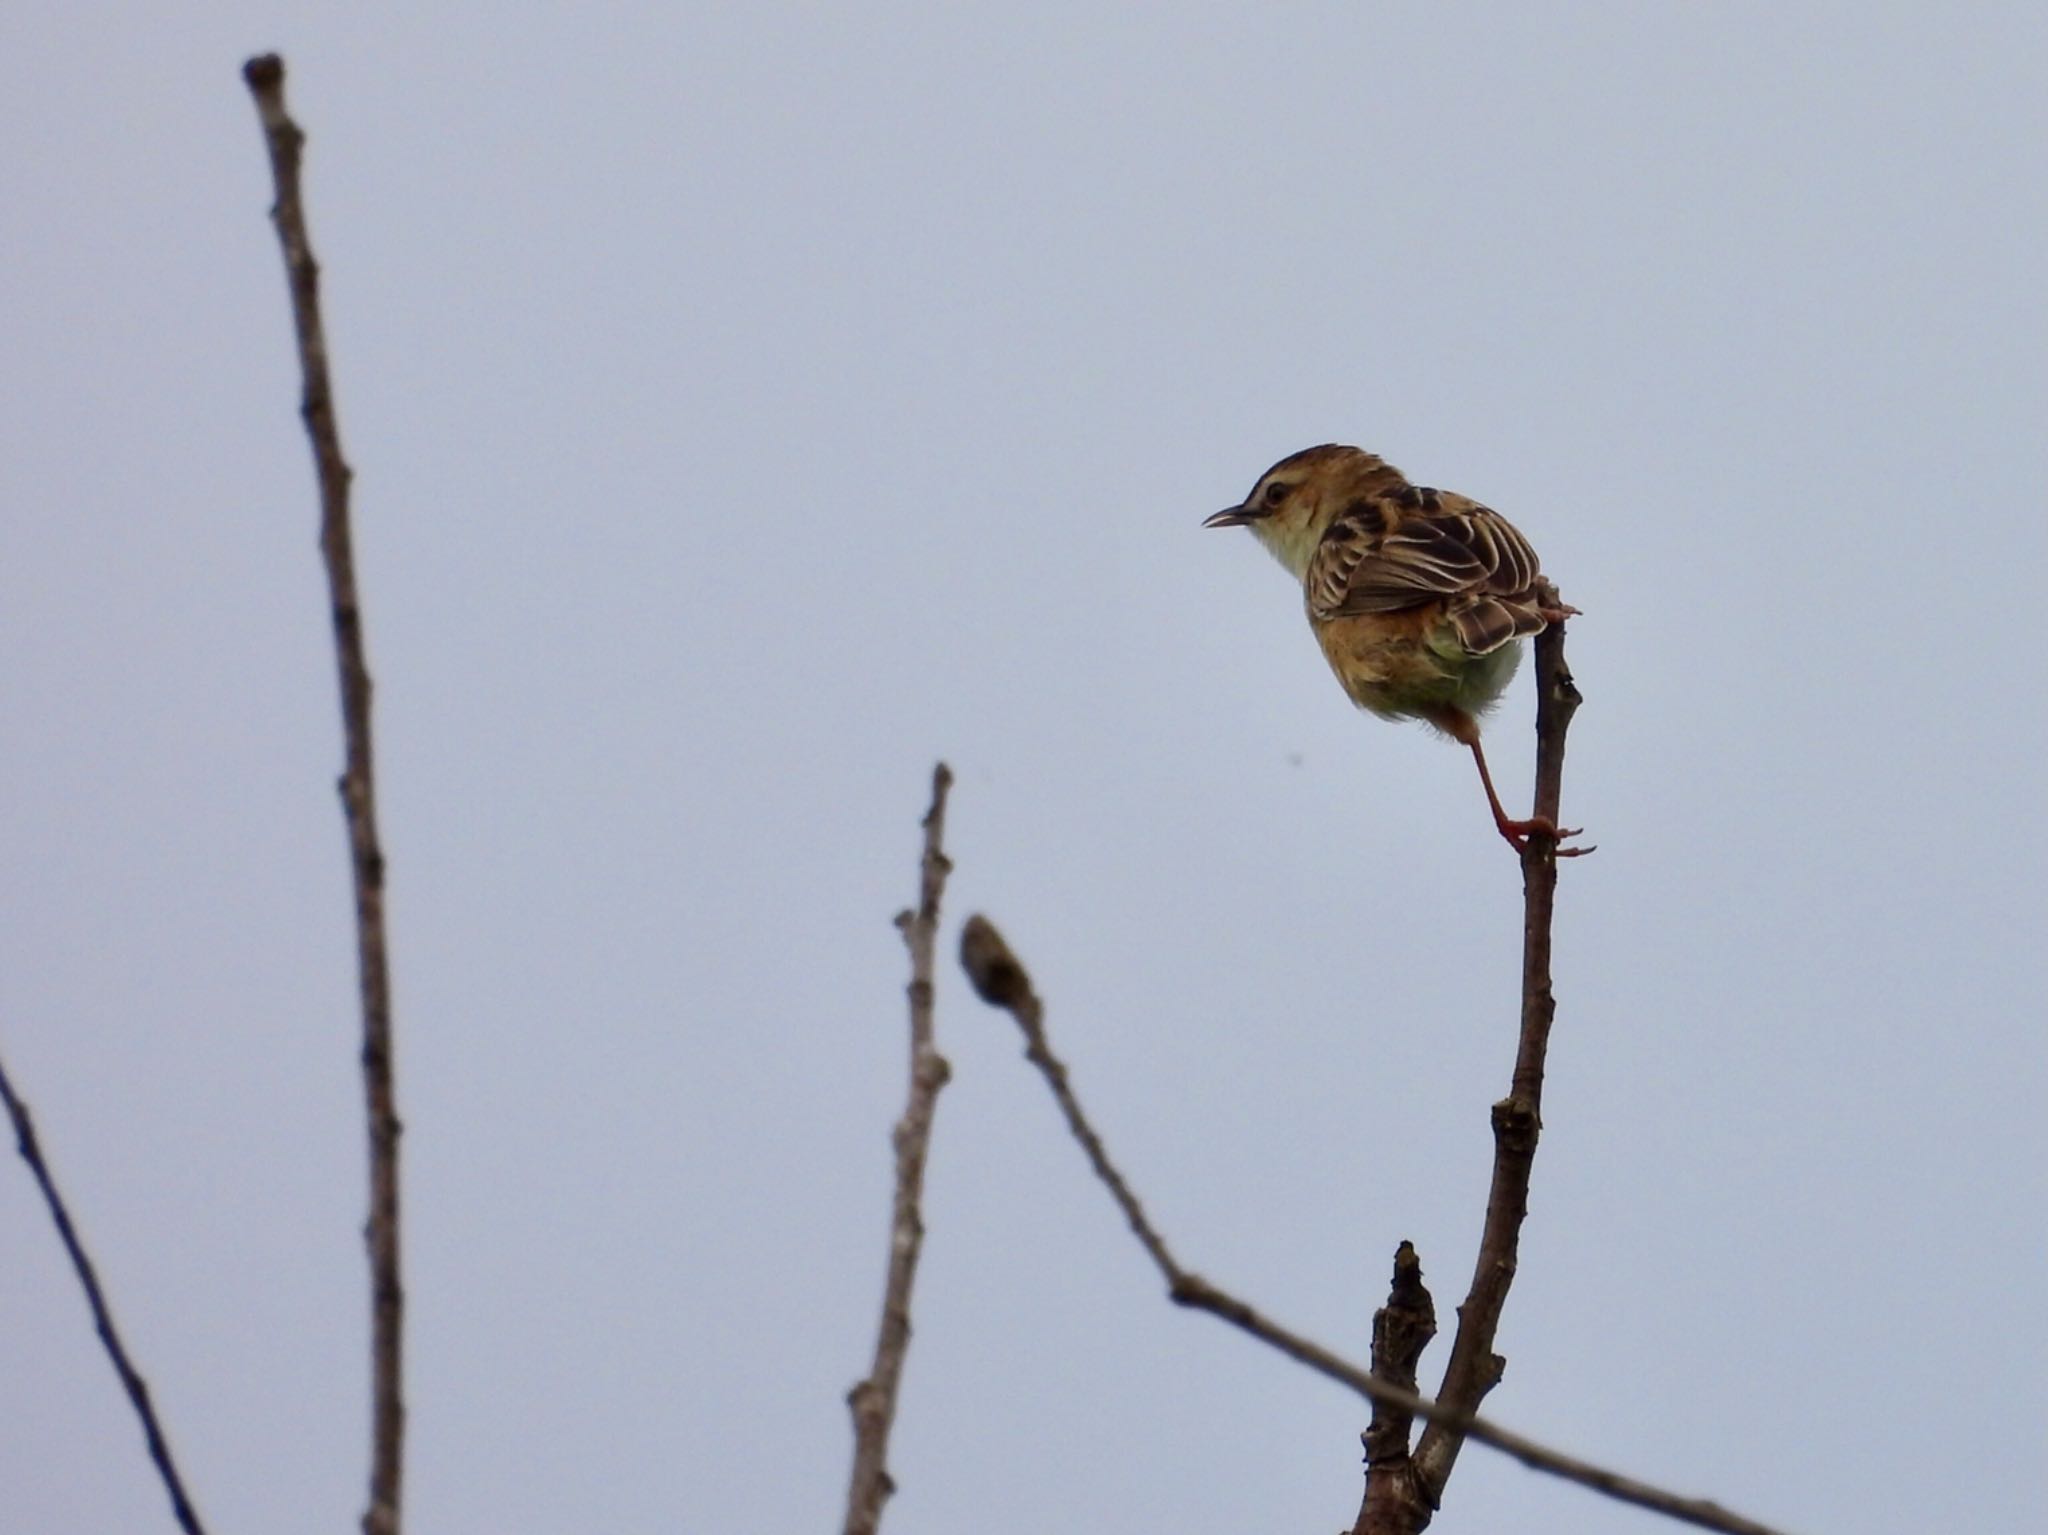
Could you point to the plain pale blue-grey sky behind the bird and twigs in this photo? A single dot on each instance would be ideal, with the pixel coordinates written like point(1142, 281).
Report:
point(757, 402)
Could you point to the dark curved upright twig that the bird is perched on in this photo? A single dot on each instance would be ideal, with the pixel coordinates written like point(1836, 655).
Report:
point(1474, 1366)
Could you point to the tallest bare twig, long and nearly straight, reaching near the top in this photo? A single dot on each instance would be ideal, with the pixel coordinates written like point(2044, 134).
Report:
point(359, 801)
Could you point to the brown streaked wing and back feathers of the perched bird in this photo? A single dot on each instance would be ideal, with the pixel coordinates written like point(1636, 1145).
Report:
point(1414, 545)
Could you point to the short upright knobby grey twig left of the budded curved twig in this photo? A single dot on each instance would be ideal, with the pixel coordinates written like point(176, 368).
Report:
point(876, 1399)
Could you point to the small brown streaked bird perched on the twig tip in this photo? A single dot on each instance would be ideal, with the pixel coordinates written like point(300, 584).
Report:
point(1420, 599)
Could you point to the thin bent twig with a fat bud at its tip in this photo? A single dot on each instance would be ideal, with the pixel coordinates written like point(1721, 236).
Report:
point(1002, 981)
